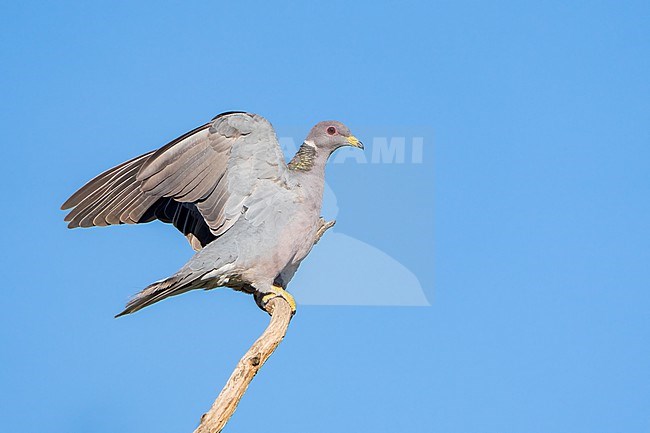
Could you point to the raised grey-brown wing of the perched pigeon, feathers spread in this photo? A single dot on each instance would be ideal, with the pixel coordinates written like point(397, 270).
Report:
point(202, 182)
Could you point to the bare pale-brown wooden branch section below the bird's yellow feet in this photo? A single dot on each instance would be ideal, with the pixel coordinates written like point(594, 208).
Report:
point(224, 406)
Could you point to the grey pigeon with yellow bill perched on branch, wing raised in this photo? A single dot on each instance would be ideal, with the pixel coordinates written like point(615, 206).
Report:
point(225, 185)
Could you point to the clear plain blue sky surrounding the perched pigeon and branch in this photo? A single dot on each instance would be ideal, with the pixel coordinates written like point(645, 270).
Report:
point(525, 224)
